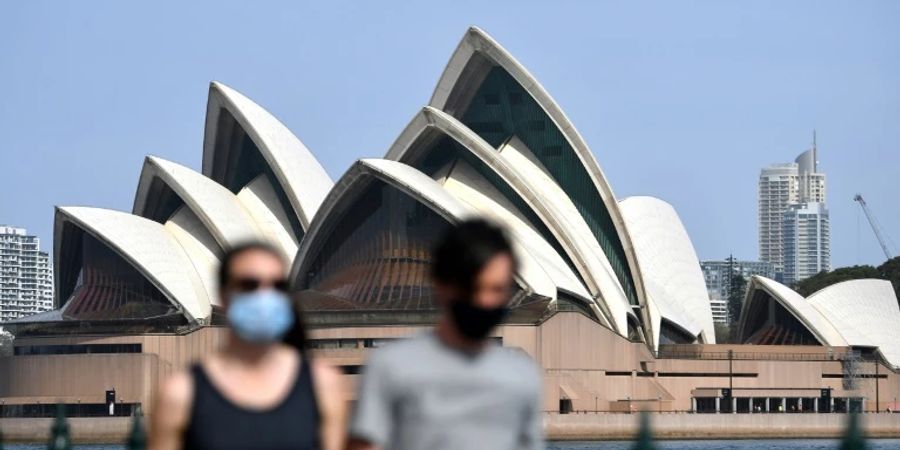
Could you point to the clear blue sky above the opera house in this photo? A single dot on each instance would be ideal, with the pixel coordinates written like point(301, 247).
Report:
point(681, 100)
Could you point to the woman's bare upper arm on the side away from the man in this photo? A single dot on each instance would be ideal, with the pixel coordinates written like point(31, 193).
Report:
point(171, 409)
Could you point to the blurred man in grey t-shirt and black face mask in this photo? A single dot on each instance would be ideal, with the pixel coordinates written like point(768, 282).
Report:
point(452, 388)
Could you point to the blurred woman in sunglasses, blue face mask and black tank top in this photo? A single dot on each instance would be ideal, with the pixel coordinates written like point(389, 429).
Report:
point(258, 392)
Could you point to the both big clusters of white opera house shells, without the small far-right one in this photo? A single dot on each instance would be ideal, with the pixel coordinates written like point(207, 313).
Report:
point(491, 142)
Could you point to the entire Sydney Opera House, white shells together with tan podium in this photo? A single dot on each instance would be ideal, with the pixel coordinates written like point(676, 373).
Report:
point(609, 297)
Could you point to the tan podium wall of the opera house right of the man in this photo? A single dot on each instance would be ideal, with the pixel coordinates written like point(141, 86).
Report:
point(597, 369)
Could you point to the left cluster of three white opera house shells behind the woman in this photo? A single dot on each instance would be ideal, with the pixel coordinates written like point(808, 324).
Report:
point(154, 268)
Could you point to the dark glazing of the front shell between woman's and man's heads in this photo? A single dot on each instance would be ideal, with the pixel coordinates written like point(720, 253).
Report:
point(377, 257)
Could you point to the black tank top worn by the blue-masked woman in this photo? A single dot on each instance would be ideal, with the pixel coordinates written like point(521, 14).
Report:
point(217, 423)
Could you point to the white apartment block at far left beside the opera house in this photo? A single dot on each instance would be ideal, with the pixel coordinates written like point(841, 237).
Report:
point(26, 278)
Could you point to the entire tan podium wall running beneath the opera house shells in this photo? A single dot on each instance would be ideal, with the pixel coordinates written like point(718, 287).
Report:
point(584, 362)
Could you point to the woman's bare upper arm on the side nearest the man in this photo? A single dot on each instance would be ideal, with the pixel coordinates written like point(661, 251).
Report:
point(332, 401)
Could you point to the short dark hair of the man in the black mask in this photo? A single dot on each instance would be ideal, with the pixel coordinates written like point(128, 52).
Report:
point(465, 249)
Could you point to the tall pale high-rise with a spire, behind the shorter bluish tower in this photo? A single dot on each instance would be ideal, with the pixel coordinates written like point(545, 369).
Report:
point(780, 187)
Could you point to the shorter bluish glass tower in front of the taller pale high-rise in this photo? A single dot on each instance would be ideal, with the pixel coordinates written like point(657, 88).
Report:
point(806, 241)
